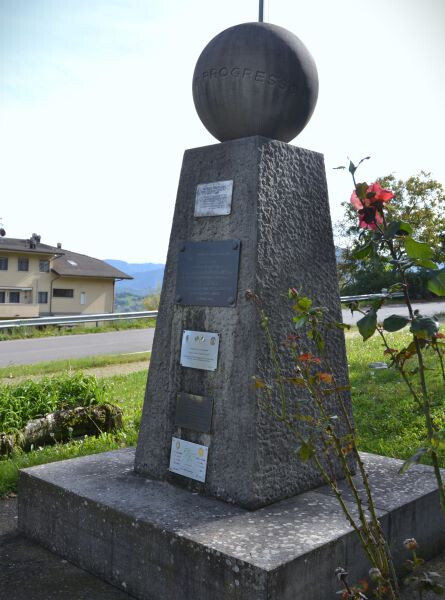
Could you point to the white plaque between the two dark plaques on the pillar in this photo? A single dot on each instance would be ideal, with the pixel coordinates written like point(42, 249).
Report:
point(199, 350)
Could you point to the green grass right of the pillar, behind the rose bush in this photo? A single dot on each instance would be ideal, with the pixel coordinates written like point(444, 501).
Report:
point(388, 420)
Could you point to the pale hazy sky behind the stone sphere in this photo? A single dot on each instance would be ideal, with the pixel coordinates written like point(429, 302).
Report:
point(96, 107)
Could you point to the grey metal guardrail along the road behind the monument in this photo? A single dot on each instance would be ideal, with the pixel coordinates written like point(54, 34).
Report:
point(143, 314)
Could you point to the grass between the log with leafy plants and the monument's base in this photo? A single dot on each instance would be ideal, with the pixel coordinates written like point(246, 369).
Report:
point(127, 392)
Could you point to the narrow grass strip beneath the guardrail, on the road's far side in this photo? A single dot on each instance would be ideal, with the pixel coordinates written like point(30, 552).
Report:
point(18, 333)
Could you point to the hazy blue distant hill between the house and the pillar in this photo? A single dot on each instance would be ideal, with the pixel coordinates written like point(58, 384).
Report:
point(147, 276)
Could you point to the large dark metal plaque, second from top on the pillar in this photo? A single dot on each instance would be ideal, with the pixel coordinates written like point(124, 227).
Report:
point(208, 273)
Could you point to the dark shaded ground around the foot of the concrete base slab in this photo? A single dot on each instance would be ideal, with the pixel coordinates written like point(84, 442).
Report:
point(29, 572)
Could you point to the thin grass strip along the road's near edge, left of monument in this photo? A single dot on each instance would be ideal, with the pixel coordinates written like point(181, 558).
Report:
point(75, 364)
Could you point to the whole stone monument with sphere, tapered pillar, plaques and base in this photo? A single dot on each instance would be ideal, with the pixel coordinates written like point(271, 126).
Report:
point(214, 505)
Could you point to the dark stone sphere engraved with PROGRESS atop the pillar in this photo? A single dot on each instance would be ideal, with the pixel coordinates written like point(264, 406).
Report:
point(255, 79)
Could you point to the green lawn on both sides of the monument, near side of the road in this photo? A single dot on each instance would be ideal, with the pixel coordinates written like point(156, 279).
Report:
point(387, 419)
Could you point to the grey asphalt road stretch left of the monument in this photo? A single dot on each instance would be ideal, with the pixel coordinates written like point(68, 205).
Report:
point(25, 352)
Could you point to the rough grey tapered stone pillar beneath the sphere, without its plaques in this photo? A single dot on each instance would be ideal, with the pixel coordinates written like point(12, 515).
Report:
point(280, 213)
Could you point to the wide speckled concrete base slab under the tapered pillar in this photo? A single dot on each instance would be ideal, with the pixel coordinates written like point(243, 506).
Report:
point(158, 542)
